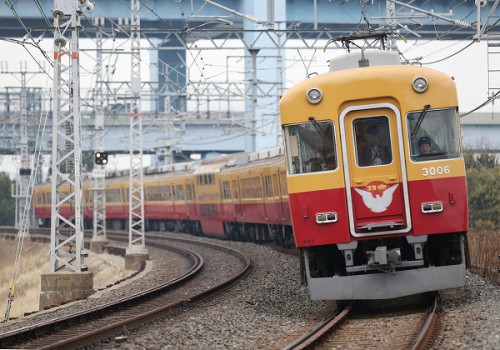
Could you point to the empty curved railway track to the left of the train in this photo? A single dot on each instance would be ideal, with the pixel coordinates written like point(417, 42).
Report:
point(110, 320)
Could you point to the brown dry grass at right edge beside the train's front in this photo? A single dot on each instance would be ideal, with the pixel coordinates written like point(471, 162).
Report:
point(485, 254)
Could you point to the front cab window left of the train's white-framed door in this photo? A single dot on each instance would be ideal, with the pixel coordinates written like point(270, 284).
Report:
point(310, 147)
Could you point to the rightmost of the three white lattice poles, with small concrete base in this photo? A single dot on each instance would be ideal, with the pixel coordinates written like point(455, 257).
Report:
point(136, 251)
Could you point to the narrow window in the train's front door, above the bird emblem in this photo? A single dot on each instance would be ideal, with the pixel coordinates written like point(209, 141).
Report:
point(372, 140)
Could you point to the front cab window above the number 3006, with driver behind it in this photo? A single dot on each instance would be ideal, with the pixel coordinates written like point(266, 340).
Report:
point(433, 134)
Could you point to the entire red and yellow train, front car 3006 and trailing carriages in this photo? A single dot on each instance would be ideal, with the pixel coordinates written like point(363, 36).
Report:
point(371, 178)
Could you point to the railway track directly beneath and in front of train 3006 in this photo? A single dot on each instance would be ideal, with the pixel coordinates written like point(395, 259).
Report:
point(414, 328)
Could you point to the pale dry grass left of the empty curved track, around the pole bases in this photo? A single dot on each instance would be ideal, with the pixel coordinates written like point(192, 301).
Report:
point(107, 269)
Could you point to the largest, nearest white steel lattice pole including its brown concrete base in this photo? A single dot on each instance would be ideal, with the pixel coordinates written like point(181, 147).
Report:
point(68, 278)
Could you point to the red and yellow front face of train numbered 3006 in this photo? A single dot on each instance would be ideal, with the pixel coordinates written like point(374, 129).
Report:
point(377, 214)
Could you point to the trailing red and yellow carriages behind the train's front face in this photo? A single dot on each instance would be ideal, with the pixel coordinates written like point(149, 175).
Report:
point(240, 196)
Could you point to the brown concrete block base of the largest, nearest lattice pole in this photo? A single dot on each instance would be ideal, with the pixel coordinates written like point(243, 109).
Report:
point(62, 287)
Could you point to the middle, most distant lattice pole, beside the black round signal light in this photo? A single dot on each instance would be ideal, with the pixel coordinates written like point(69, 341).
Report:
point(99, 239)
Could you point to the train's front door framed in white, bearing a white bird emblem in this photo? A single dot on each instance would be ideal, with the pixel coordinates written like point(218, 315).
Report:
point(376, 181)
